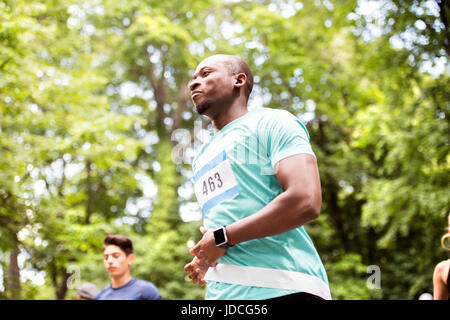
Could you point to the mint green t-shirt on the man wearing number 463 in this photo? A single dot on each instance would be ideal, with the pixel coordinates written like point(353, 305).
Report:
point(234, 177)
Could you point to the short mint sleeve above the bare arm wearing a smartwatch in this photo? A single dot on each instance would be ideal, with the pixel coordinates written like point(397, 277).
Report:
point(286, 136)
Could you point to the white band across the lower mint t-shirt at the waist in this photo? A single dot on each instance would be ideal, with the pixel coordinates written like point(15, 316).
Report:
point(269, 278)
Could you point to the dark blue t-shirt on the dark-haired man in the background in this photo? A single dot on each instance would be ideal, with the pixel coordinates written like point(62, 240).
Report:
point(136, 289)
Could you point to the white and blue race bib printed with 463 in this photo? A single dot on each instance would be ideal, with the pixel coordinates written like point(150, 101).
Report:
point(215, 182)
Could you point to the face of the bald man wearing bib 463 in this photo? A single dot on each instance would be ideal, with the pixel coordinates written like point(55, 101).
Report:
point(211, 86)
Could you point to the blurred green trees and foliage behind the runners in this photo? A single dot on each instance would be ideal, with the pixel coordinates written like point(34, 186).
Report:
point(92, 93)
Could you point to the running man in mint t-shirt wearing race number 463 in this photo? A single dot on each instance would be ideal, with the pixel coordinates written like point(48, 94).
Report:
point(257, 182)
